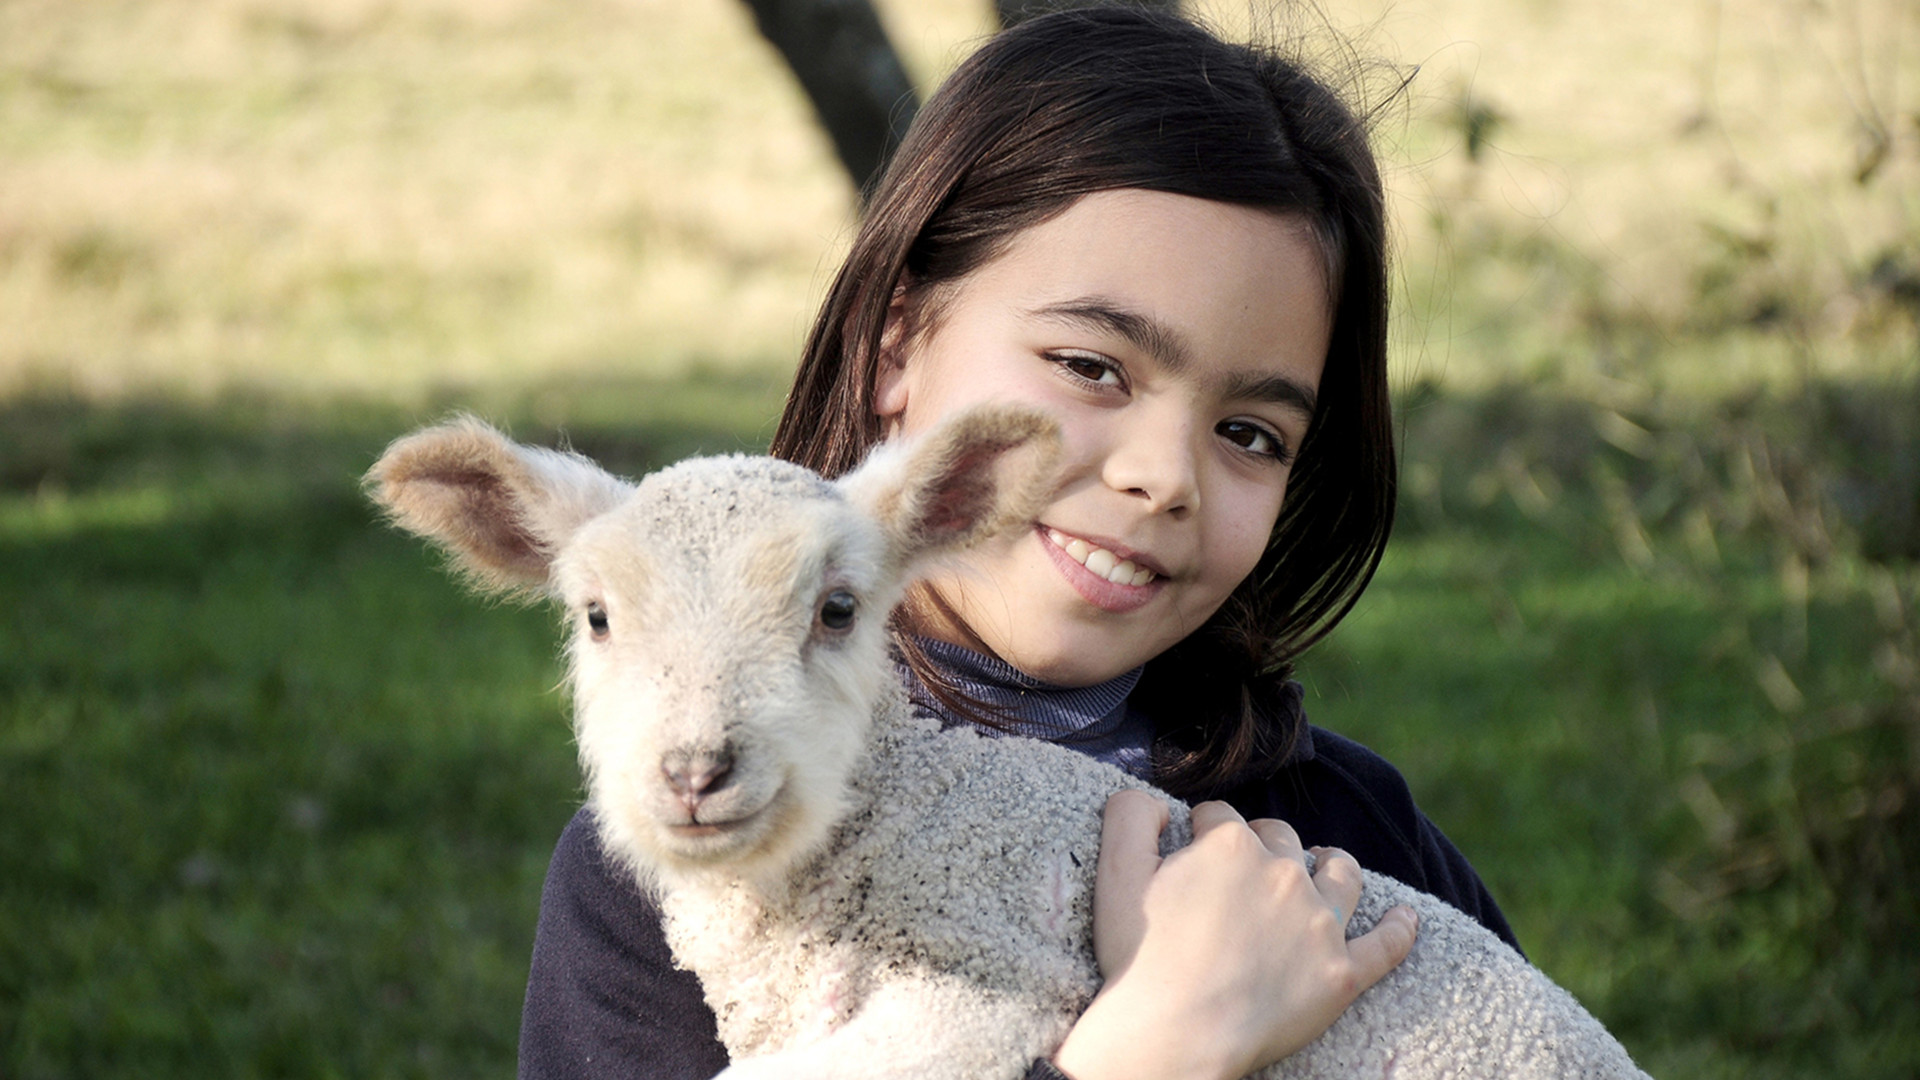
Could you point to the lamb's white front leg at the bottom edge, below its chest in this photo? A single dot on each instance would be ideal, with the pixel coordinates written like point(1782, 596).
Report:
point(923, 1029)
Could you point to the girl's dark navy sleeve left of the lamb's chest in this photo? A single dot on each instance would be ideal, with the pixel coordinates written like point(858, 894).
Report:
point(604, 996)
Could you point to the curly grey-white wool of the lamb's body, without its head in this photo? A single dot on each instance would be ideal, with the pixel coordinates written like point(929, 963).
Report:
point(969, 862)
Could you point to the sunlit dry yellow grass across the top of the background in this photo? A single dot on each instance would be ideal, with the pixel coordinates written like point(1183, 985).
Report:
point(381, 197)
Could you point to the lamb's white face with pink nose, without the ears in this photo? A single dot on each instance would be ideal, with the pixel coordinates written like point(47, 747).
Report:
point(729, 650)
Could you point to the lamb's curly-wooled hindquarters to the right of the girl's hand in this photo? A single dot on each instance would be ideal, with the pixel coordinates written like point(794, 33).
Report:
point(1462, 1006)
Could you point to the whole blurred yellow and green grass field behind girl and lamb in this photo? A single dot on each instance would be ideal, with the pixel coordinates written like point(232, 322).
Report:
point(277, 798)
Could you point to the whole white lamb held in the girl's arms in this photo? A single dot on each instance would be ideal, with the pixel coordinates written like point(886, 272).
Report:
point(863, 893)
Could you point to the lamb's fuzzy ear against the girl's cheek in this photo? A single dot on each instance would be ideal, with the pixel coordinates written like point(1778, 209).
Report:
point(974, 478)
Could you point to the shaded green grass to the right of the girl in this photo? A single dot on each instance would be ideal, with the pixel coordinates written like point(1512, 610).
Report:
point(1681, 754)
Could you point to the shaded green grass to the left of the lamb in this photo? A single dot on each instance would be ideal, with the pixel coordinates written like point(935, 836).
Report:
point(279, 795)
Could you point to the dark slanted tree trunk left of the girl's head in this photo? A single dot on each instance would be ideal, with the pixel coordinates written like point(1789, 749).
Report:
point(852, 74)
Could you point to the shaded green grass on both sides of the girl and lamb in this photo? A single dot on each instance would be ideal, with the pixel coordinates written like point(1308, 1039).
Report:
point(281, 795)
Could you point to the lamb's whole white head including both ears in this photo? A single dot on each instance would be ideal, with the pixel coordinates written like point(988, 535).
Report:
point(727, 616)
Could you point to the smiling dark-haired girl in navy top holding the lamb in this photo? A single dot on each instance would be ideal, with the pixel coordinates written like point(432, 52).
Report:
point(1176, 247)
